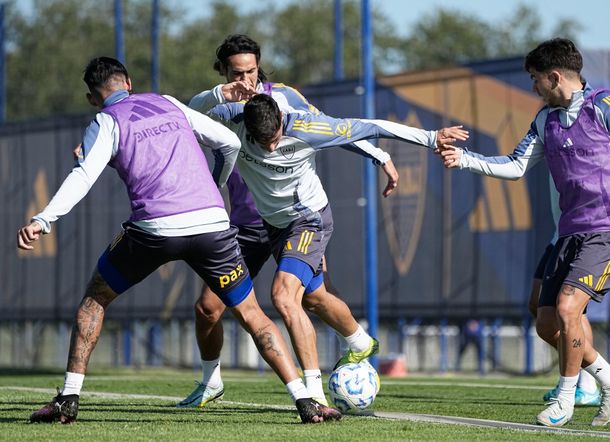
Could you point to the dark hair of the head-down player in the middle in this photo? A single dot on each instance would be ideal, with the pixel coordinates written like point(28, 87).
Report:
point(262, 118)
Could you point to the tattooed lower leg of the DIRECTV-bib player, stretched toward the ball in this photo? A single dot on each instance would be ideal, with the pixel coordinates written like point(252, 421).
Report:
point(267, 337)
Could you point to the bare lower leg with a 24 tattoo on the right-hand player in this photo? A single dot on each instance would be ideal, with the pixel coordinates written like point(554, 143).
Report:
point(571, 303)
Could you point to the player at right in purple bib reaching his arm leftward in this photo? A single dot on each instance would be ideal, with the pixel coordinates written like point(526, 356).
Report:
point(572, 133)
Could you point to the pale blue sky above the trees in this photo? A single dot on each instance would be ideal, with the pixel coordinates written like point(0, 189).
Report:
point(592, 14)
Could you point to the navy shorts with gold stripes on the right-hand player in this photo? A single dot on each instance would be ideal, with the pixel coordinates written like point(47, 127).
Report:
point(581, 260)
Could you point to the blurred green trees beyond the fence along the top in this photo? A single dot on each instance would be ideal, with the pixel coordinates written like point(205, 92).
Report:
point(48, 49)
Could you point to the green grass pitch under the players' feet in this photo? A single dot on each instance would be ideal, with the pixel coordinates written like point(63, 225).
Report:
point(138, 405)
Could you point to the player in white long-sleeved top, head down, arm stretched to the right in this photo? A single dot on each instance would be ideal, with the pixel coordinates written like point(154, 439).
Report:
point(277, 162)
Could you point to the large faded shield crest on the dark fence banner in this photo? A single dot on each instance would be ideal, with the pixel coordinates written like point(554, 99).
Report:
point(404, 210)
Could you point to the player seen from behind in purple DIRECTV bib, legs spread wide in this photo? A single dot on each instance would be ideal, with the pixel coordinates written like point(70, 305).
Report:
point(177, 213)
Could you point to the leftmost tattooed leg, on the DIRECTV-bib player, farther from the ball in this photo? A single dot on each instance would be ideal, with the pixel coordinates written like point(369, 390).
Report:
point(88, 323)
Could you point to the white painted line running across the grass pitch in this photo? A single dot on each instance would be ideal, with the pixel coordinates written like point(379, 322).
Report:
point(451, 420)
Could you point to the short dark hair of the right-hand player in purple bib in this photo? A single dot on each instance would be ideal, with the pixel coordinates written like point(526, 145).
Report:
point(557, 53)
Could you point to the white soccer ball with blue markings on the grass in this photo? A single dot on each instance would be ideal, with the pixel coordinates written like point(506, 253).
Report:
point(353, 387)
